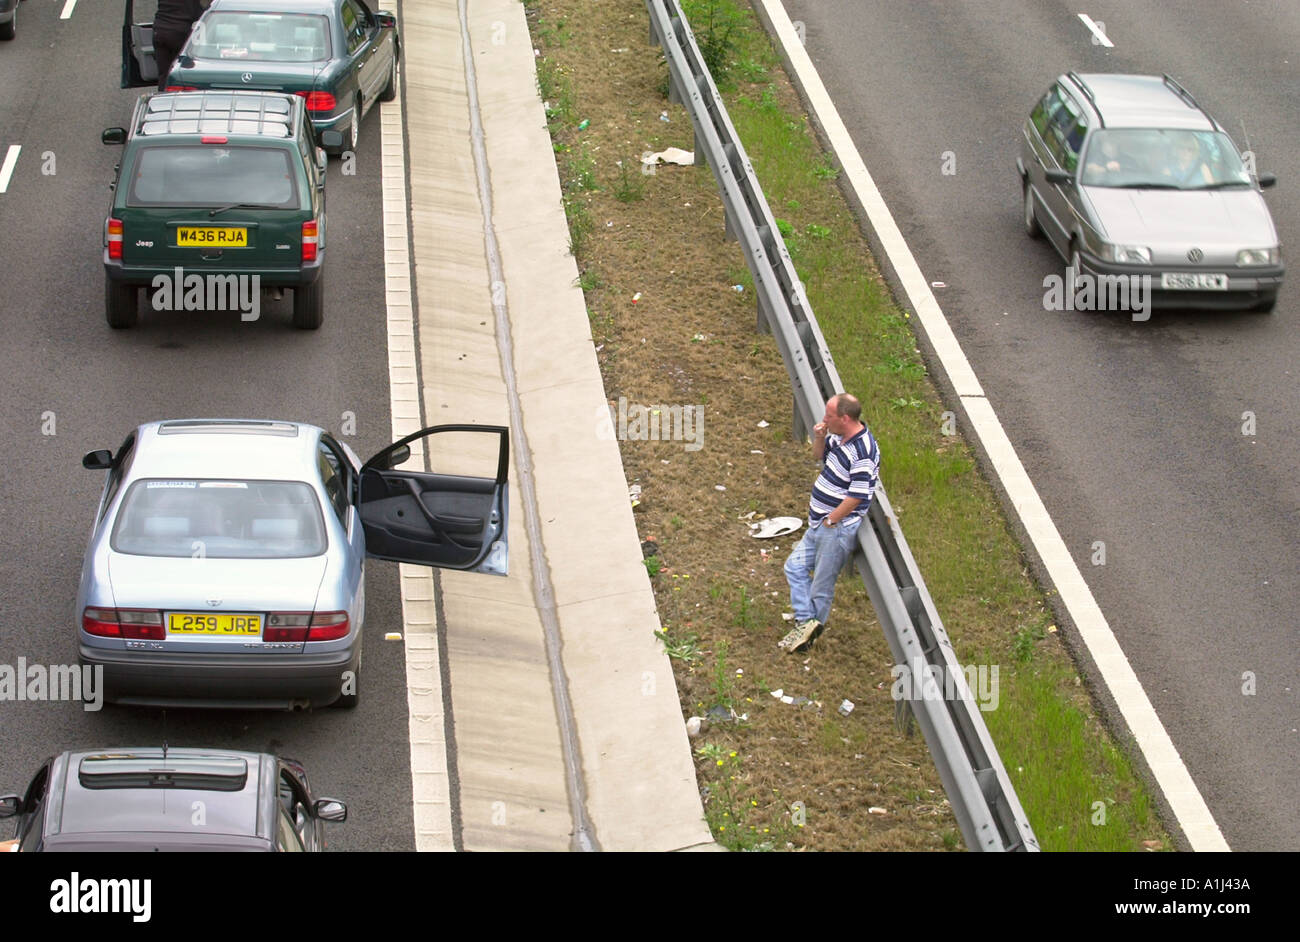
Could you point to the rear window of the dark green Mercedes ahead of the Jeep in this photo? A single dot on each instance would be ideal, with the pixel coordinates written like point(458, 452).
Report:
point(261, 37)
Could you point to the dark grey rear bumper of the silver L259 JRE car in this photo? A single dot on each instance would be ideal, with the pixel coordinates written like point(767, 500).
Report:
point(257, 681)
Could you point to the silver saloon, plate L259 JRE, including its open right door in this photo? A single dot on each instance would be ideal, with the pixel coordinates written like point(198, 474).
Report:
point(227, 562)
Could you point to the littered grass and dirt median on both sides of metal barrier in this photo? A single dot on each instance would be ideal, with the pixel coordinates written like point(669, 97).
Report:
point(703, 410)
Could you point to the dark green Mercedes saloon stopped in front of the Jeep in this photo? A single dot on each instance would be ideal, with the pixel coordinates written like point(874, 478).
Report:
point(337, 55)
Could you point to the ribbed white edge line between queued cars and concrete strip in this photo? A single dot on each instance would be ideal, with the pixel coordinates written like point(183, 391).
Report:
point(431, 784)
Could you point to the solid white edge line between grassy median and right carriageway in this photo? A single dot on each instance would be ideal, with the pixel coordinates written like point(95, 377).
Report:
point(1117, 674)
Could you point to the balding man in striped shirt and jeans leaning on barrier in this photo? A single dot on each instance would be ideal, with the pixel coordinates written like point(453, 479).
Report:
point(842, 497)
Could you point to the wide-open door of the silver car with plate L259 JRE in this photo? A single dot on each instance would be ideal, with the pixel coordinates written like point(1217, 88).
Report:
point(450, 522)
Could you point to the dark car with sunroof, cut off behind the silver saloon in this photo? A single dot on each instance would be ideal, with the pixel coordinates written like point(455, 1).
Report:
point(145, 800)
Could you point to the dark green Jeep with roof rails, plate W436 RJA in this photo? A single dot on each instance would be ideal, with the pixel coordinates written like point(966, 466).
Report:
point(219, 197)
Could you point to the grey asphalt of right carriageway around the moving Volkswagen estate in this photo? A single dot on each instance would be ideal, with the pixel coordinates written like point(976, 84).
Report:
point(1133, 432)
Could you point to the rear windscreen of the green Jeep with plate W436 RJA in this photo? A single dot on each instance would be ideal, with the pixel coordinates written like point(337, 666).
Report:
point(213, 176)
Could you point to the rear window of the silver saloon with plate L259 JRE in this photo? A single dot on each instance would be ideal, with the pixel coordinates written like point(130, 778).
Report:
point(220, 520)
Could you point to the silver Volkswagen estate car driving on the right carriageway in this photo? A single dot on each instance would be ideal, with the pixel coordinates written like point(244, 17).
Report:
point(1129, 176)
